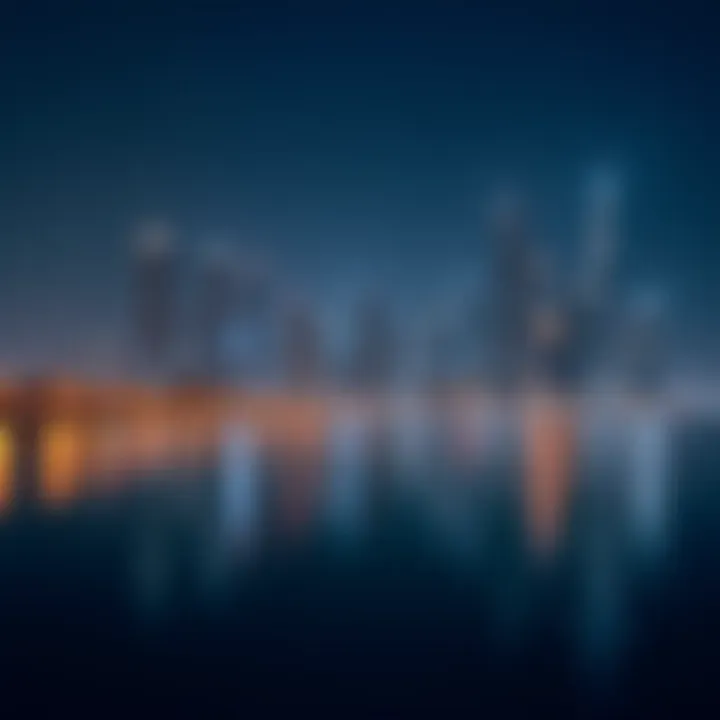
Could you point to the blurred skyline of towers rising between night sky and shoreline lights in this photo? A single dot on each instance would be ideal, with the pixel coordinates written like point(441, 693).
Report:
point(236, 323)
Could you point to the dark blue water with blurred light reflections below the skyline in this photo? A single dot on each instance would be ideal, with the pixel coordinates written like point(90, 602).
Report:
point(331, 574)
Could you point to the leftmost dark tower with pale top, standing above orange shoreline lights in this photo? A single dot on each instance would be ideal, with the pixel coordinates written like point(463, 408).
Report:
point(154, 299)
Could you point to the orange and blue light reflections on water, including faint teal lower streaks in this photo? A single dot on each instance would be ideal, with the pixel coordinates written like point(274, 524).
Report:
point(454, 474)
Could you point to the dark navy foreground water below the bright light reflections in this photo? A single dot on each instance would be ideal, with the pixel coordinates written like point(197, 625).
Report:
point(134, 602)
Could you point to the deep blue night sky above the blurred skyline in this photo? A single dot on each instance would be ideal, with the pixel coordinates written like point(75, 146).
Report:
point(339, 138)
